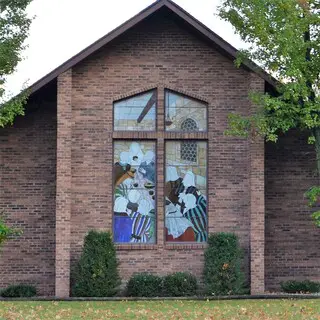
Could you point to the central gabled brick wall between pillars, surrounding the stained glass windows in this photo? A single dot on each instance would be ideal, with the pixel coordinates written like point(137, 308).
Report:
point(158, 53)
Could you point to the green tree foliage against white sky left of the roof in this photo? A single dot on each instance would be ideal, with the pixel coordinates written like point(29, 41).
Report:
point(14, 27)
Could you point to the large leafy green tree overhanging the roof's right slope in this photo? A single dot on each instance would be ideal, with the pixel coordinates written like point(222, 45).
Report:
point(284, 39)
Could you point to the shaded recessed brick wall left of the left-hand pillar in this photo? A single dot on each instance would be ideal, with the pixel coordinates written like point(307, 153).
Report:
point(27, 195)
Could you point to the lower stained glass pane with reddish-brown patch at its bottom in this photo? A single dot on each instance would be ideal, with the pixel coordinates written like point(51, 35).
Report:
point(186, 217)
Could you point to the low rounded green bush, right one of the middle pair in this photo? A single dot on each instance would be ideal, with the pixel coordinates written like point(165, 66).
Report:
point(180, 284)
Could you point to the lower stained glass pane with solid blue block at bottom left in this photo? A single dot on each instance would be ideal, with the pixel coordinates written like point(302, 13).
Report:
point(134, 178)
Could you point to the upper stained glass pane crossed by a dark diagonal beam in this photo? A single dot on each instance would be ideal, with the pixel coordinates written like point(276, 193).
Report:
point(136, 113)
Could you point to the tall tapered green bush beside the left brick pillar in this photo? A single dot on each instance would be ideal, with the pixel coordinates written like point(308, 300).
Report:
point(96, 274)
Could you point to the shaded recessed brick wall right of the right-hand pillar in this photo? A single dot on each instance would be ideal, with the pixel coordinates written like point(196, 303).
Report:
point(292, 241)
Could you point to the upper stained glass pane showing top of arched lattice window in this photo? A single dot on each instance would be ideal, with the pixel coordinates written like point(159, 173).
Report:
point(184, 113)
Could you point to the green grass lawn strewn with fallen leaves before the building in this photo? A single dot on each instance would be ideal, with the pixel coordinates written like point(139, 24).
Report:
point(228, 310)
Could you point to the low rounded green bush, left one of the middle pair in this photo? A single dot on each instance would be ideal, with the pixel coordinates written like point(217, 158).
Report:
point(145, 285)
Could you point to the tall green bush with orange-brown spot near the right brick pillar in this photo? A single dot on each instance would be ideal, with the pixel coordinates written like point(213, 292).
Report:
point(222, 268)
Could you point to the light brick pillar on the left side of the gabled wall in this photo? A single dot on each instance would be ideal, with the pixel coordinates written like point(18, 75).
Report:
point(64, 188)
